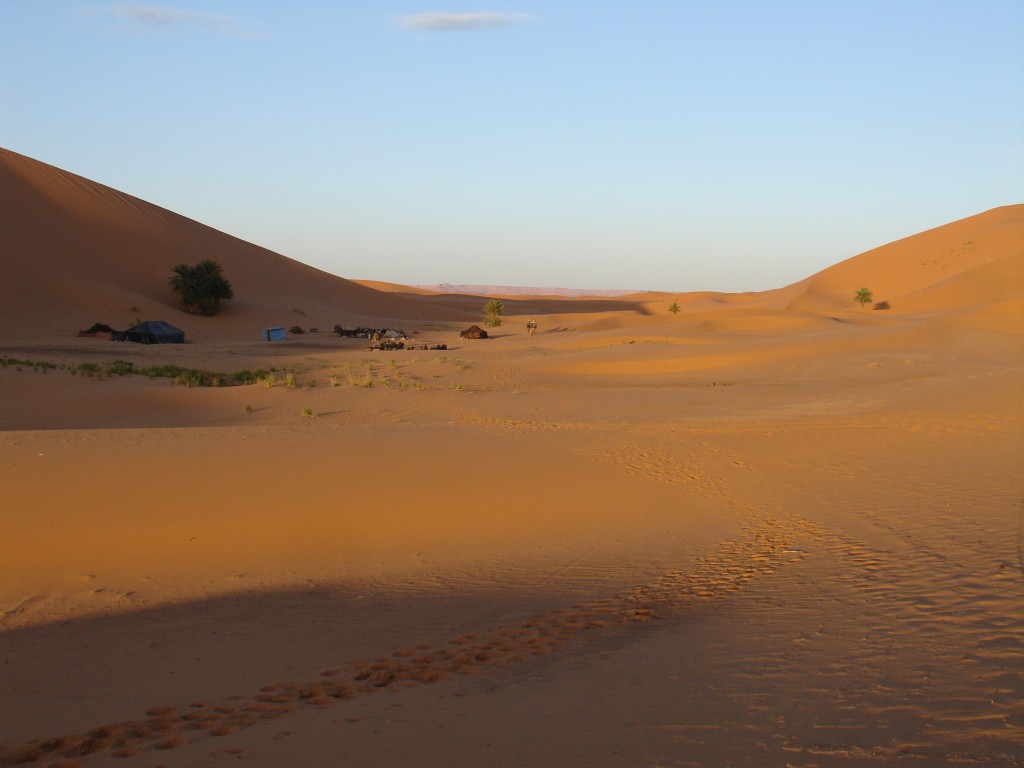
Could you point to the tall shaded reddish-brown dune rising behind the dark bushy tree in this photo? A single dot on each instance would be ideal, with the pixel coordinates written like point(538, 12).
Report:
point(101, 255)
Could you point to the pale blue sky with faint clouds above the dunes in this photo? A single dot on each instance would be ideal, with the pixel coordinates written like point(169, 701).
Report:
point(652, 145)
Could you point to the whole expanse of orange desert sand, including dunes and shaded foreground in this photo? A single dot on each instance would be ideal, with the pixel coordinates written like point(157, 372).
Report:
point(771, 530)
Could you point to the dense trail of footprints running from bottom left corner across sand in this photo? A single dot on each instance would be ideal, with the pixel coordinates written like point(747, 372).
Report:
point(759, 552)
